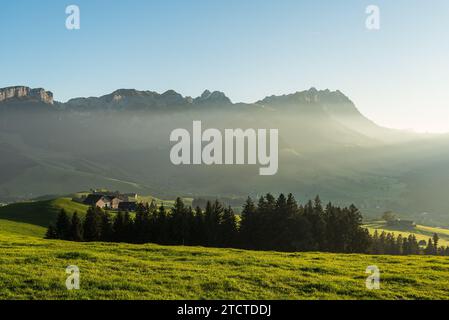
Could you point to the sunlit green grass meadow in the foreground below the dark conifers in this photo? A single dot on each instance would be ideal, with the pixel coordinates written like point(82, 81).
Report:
point(34, 268)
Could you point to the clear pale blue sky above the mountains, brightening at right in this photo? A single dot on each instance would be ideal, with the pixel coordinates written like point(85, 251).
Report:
point(397, 76)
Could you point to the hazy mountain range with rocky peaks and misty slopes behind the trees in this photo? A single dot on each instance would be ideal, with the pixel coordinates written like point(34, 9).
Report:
point(121, 141)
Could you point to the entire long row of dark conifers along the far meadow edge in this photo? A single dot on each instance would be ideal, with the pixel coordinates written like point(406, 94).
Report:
point(272, 224)
